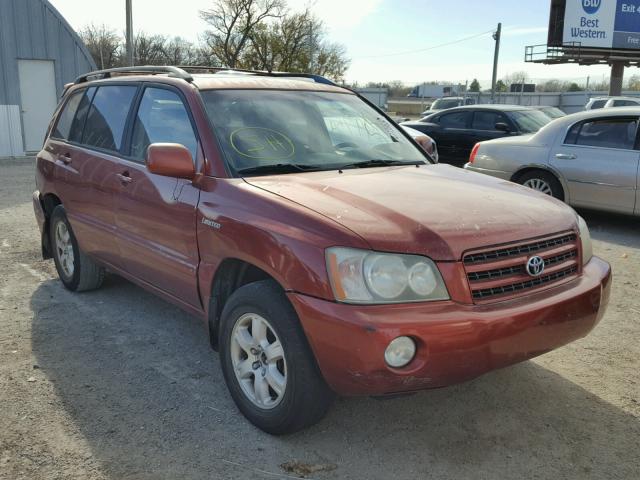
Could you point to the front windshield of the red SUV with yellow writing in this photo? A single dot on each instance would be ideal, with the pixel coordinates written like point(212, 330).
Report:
point(259, 130)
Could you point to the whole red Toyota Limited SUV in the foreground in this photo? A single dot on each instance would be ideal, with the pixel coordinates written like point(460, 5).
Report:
point(322, 248)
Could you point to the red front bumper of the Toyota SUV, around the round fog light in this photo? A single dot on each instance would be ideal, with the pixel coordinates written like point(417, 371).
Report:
point(456, 342)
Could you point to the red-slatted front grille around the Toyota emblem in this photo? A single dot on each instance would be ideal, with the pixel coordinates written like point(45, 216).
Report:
point(501, 273)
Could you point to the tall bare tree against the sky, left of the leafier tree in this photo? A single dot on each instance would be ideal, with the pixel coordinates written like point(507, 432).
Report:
point(231, 23)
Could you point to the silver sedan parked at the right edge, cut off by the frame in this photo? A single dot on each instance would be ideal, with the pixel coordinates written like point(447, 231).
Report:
point(588, 159)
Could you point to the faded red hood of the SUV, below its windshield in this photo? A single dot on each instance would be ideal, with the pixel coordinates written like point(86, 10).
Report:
point(438, 210)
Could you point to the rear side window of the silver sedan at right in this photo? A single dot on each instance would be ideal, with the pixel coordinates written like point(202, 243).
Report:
point(605, 133)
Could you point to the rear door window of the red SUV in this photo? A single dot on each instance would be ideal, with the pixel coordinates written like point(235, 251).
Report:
point(107, 117)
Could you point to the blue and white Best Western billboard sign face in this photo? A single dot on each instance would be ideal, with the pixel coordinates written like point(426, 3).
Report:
point(602, 23)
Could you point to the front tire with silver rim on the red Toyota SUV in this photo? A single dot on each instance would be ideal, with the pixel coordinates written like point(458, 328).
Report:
point(305, 397)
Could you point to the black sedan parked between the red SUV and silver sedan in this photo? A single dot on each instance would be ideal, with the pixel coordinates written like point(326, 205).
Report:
point(457, 130)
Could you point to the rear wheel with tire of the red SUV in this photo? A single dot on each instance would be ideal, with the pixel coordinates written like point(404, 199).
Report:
point(76, 270)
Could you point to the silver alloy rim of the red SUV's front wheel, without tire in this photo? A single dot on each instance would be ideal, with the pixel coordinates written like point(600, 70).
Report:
point(258, 361)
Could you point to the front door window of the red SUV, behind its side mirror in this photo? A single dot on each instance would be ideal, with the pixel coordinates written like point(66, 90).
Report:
point(162, 117)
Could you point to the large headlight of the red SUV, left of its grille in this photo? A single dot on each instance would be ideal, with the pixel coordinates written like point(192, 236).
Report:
point(362, 276)
